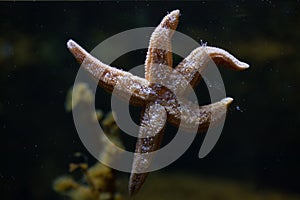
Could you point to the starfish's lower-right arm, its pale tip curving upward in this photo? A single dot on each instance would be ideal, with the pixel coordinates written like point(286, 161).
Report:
point(190, 116)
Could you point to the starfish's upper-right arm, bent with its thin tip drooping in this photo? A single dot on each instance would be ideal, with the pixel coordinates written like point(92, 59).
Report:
point(192, 66)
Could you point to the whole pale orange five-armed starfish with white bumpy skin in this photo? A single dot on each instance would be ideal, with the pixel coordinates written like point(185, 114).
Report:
point(160, 103)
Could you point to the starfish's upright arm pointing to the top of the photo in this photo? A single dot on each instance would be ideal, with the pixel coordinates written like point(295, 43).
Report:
point(160, 49)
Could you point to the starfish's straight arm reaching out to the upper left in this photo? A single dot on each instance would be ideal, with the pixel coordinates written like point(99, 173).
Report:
point(109, 77)
